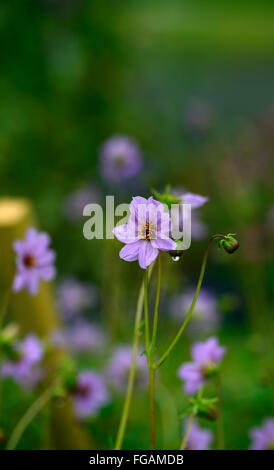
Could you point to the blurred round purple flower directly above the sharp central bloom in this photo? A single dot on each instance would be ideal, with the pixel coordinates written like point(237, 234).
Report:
point(120, 159)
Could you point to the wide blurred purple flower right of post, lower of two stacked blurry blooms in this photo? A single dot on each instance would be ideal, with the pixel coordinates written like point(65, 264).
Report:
point(80, 337)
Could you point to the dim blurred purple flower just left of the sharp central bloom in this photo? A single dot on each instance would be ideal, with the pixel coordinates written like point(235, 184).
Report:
point(76, 201)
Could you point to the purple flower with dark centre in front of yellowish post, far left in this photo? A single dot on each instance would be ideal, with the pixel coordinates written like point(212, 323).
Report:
point(34, 262)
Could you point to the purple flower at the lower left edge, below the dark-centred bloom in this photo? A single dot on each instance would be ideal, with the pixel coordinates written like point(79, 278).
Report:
point(26, 370)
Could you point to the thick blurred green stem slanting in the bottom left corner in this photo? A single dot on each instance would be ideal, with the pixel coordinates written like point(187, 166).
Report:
point(26, 419)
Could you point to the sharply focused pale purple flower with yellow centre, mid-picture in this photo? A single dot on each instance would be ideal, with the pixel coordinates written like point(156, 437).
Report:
point(146, 233)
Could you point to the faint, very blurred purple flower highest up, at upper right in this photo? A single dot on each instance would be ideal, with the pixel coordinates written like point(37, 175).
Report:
point(198, 117)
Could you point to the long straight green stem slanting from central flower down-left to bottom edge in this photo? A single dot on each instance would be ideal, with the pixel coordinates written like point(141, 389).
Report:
point(128, 398)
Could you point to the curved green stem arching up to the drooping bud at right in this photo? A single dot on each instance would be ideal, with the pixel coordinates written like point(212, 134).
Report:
point(200, 280)
